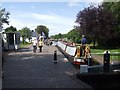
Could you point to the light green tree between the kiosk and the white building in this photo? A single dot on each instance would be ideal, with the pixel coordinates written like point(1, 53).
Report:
point(25, 33)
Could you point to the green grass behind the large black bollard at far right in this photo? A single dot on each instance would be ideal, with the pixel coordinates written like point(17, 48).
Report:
point(112, 56)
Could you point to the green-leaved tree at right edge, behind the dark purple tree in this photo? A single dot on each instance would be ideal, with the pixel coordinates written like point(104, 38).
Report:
point(114, 7)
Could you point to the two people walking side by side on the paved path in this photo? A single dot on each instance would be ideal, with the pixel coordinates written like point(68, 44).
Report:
point(37, 43)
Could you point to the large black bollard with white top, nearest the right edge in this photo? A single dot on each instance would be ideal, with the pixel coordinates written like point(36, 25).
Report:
point(106, 62)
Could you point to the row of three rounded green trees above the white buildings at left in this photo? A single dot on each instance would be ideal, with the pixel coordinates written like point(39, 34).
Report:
point(25, 32)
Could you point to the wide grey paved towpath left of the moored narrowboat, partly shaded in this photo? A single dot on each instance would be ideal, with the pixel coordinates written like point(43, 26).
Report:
point(25, 69)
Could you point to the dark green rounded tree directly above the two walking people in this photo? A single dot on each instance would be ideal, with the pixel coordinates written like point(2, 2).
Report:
point(43, 29)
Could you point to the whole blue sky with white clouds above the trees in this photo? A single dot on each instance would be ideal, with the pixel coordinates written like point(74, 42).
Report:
point(58, 17)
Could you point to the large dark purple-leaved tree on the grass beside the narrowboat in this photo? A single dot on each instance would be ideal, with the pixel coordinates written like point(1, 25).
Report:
point(96, 23)
